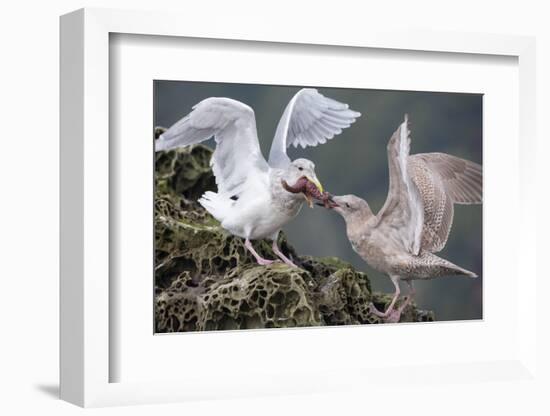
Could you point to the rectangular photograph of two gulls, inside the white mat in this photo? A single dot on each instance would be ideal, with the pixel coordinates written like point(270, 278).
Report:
point(210, 269)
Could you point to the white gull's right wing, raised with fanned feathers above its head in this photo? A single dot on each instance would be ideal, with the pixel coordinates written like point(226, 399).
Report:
point(310, 118)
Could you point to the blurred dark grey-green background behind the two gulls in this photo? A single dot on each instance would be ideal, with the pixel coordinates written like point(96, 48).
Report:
point(355, 162)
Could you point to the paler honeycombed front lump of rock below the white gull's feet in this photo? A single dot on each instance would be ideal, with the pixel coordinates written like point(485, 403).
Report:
point(249, 297)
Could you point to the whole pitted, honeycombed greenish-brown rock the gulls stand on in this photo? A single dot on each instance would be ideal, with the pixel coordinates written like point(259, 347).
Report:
point(205, 279)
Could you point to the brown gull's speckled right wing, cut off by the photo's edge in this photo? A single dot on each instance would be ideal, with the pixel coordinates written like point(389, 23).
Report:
point(443, 180)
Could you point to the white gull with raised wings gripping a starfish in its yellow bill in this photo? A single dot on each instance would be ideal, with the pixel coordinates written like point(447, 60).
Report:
point(251, 201)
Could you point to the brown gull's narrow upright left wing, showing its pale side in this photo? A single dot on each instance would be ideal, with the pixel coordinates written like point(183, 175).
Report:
point(403, 210)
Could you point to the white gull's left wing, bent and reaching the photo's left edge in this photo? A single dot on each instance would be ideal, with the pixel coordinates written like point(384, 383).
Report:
point(233, 125)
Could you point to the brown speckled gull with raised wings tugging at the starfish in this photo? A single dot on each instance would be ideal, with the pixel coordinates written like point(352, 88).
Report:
point(416, 218)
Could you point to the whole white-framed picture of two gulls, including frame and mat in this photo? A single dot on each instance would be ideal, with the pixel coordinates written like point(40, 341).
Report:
point(235, 207)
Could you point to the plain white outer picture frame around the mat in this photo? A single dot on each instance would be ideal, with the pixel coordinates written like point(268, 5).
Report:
point(85, 191)
